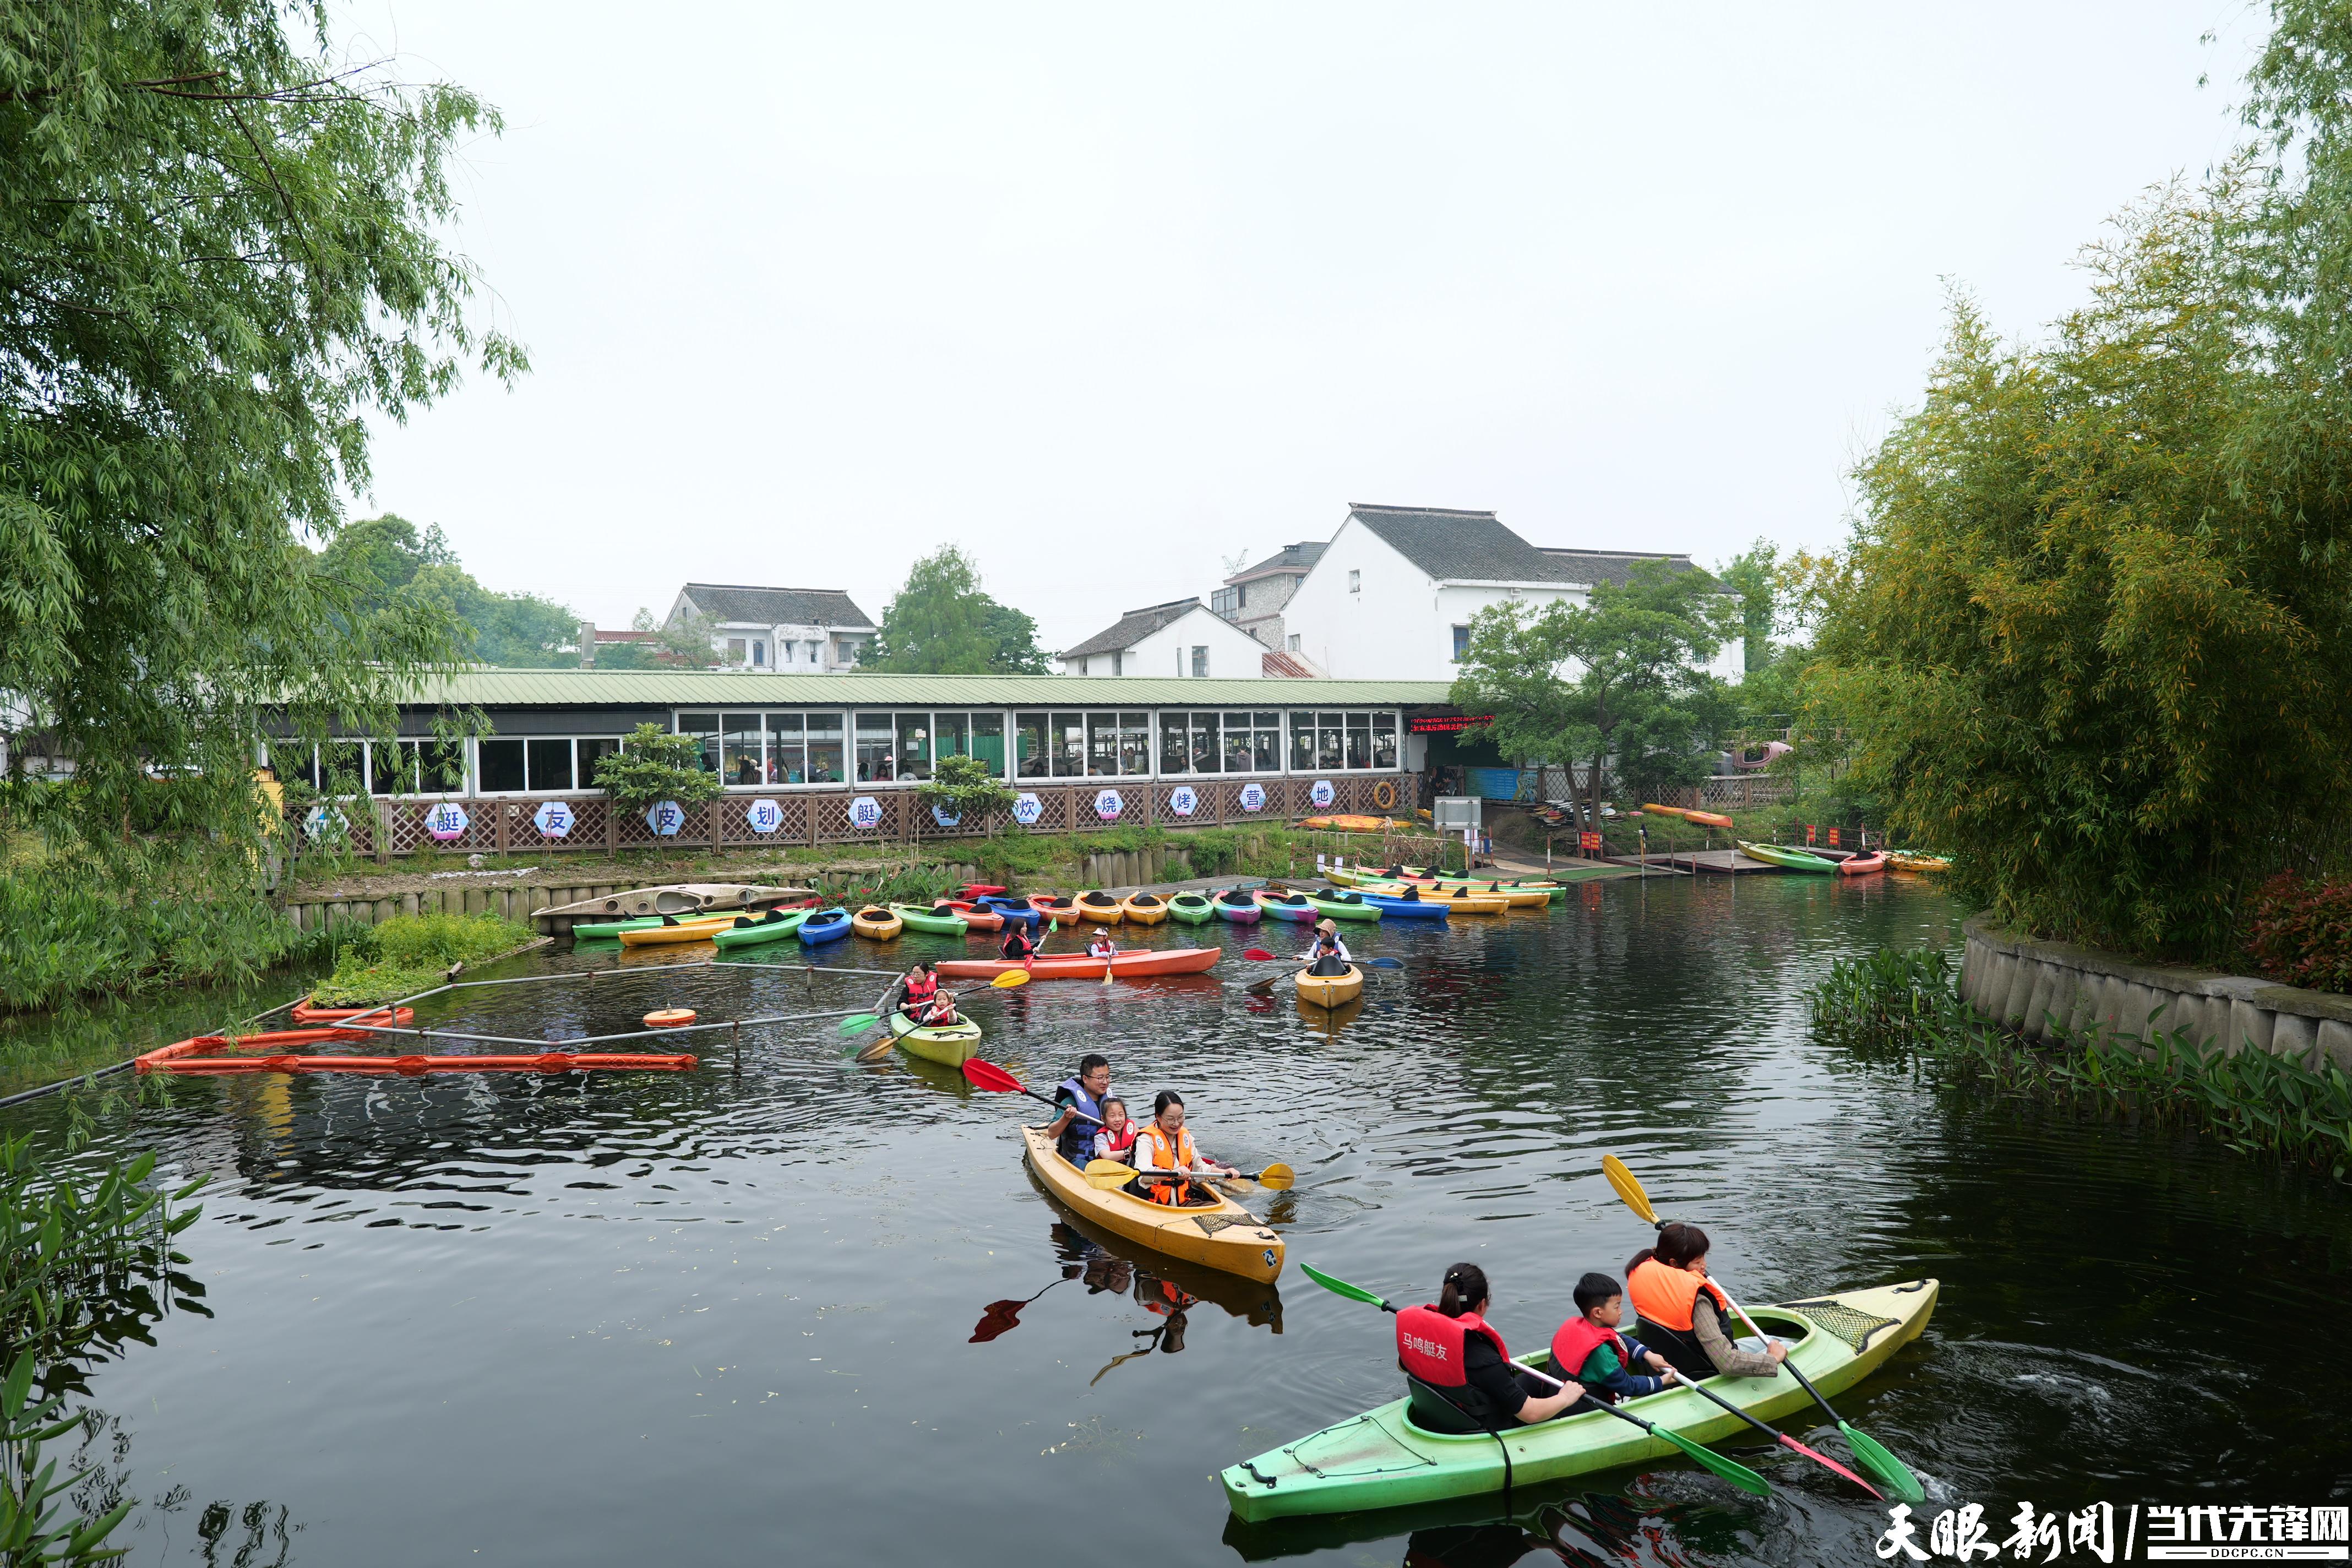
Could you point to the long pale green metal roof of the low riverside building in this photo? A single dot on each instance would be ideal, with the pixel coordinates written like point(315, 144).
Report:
point(749, 690)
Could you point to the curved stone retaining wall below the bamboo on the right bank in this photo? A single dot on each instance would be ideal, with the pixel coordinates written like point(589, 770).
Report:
point(2036, 986)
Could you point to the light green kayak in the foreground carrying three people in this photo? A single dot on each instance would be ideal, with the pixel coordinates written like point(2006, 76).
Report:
point(1382, 1459)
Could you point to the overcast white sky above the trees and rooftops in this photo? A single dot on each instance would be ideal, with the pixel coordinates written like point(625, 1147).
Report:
point(1111, 293)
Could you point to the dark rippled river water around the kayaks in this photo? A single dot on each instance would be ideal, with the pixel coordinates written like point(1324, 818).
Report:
point(723, 1320)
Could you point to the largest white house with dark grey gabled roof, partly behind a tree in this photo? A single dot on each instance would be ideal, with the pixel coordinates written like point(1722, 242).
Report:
point(1394, 594)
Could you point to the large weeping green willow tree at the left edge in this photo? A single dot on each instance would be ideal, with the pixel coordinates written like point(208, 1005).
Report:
point(220, 253)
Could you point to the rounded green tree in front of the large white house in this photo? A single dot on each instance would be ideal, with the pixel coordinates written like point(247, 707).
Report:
point(1622, 676)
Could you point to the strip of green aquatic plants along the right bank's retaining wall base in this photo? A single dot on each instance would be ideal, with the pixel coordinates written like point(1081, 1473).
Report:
point(1909, 1007)
